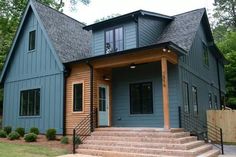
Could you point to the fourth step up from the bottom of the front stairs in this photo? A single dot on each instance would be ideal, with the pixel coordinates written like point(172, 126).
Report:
point(144, 139)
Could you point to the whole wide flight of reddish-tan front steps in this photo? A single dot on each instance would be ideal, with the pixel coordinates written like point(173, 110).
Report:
point(144, 142)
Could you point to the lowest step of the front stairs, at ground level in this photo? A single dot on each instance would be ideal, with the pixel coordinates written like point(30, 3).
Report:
point(116, 153)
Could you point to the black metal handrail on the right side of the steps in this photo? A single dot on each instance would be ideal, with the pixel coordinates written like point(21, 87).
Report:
point(204, 130)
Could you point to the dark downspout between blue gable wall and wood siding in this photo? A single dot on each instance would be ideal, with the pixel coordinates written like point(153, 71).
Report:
point(66, 73)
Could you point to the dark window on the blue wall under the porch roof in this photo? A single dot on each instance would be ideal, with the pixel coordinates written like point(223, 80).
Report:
point(141, 101)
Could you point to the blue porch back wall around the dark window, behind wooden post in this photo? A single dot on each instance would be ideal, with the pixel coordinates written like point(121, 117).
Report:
point(143, 73)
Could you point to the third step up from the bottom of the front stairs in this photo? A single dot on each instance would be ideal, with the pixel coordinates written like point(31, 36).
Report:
point(185, 146)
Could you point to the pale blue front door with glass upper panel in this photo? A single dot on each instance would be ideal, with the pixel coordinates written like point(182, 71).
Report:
point(103, 105)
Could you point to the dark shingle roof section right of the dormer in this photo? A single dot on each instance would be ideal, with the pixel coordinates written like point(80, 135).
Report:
point(182, 29)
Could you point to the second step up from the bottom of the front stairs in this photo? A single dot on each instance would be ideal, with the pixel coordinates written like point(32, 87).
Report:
point(170, 152)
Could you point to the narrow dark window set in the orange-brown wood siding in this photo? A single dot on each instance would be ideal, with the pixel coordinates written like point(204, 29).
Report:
point(78, 97)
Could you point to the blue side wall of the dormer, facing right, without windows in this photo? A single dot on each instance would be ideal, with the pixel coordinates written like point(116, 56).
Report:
point(149, 30)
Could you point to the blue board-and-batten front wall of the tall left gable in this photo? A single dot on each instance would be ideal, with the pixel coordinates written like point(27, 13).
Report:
point(30, 70)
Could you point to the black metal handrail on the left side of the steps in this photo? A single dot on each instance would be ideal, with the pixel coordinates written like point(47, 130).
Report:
point(84, 128)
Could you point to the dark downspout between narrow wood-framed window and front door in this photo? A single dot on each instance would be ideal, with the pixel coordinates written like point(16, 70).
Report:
point(91, 95)
